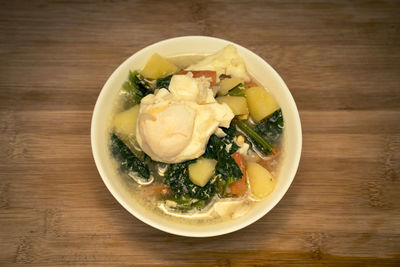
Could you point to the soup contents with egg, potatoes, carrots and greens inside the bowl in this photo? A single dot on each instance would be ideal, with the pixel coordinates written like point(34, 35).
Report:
point(195, 137)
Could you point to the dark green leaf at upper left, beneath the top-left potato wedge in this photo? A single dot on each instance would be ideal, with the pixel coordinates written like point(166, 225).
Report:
point(136, 87)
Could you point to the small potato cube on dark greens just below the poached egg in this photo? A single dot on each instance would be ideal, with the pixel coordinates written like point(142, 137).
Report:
point(201, 171)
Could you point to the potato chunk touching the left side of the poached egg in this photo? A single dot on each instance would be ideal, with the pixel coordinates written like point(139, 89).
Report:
point(125, 122)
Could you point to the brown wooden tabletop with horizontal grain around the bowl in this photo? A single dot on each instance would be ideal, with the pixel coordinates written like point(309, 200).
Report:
point(341, 62)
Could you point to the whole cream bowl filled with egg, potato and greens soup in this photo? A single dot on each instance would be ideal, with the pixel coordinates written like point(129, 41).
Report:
point(196, 136)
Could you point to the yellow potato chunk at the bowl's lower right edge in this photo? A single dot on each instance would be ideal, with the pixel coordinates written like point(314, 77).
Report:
point(261, 181)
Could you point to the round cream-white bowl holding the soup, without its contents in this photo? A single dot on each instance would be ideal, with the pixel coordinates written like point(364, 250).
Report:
point(188, 45)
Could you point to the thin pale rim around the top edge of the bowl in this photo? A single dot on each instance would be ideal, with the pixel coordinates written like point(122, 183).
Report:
point(96, 155)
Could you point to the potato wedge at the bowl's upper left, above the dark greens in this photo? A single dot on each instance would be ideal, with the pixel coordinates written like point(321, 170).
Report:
point(158, 67)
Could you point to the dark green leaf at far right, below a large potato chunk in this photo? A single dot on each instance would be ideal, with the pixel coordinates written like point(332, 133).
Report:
point(271, 127)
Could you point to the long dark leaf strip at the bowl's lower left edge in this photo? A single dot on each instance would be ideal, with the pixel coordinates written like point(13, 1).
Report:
point(129, 161)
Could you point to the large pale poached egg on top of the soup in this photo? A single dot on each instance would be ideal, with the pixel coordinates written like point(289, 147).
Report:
point(174, 125)
